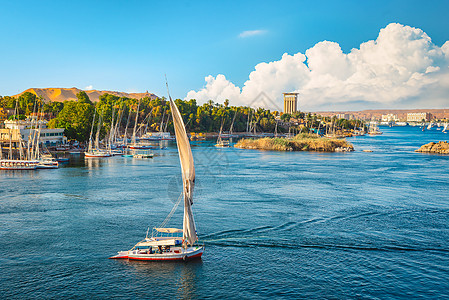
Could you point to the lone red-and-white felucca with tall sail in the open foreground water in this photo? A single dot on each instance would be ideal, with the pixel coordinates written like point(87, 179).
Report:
point(167, 244)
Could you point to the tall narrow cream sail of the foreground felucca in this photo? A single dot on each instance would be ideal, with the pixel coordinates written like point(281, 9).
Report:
point(188, 174)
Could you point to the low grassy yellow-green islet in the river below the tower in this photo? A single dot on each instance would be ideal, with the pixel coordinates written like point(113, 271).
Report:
point(301, 142)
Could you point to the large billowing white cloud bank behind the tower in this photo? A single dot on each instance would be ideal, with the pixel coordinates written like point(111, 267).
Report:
point(402, 68)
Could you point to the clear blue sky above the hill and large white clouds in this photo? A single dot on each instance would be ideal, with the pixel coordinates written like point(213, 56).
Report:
point(130, 45)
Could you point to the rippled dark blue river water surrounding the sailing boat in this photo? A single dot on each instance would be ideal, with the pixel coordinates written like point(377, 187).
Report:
point(276, 224)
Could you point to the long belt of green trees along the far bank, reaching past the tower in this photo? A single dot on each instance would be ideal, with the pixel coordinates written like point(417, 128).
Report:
point(76, 116)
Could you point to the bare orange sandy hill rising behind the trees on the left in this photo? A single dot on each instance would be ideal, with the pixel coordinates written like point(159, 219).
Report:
point(62, 94)
